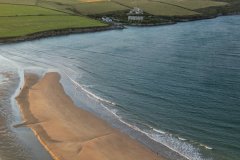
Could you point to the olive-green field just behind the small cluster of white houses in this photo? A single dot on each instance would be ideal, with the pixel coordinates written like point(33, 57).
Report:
point(91, 8)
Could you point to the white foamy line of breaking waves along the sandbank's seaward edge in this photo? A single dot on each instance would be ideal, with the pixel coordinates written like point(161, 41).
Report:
point(176, 144)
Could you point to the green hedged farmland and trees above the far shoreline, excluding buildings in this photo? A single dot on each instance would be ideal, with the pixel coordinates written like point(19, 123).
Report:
point(24, 17)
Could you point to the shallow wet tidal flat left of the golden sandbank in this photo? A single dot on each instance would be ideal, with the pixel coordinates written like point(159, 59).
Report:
point(15, 143)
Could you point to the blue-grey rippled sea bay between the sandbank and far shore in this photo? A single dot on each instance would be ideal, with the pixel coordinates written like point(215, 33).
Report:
point(177, 84)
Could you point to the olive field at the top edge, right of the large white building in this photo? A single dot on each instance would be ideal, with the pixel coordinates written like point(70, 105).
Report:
point(193, 4)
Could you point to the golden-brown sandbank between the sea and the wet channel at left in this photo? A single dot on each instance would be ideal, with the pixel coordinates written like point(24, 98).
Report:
point(68, 132)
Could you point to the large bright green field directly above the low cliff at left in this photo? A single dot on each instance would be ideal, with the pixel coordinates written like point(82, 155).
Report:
point(24, 25)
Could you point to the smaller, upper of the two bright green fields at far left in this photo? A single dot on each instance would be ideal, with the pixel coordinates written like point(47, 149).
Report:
point(20, 10)
